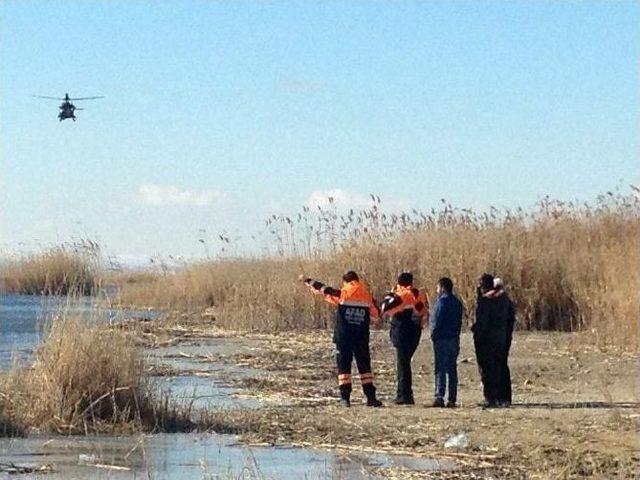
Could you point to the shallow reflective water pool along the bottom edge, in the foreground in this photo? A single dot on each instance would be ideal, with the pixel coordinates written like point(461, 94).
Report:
point(194, 456)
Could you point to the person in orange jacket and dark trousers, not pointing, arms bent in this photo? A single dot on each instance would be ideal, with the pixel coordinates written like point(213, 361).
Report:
point(408, 308)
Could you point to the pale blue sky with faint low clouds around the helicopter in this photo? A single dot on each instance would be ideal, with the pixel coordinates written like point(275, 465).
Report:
point(218, 114)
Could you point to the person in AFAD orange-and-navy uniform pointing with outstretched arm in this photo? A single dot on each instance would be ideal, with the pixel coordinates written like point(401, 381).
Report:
point(356, 310)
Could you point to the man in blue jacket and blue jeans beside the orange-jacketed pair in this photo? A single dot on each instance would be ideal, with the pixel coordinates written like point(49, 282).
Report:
point(446, 323)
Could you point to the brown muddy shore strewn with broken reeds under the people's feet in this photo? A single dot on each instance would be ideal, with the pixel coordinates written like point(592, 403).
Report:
point(576, 411)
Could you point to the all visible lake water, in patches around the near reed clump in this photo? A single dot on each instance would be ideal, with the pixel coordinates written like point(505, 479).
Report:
point(23, 320)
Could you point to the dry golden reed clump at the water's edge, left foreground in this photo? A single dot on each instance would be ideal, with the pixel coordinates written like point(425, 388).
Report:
point(86, 378)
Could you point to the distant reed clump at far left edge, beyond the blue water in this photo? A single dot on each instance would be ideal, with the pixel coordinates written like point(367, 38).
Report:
point(71, 268)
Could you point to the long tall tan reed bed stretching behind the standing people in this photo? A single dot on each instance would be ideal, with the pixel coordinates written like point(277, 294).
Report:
point(568, 267)
